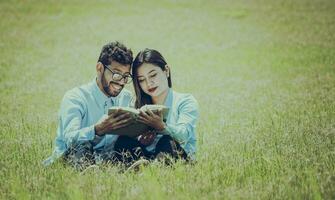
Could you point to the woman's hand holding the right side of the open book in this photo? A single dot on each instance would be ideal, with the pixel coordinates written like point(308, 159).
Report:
point(154, 120)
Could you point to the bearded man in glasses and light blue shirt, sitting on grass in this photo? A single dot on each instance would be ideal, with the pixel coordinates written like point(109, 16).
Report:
point(81, 135)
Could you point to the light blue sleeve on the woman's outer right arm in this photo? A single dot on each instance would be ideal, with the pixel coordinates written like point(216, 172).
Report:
point(188, 115)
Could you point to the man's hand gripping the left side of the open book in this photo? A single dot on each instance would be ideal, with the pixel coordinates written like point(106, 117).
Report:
point(114, 121)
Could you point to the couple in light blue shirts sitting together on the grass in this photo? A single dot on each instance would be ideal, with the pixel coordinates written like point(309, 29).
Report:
point(81, 138)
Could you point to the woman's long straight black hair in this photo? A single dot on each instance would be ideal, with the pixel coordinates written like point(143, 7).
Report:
point(153, 57)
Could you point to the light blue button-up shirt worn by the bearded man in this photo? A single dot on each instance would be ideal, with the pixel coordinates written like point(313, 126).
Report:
point(81, 108)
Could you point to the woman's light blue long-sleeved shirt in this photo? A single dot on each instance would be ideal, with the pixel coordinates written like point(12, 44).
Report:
point(181, 121)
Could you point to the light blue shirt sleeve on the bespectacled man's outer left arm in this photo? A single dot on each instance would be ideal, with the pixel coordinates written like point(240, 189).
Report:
point(71, 114)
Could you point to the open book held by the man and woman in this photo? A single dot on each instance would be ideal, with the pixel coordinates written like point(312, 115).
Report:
point(135, 128)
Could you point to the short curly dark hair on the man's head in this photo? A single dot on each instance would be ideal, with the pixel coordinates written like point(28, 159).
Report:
point(115, 51)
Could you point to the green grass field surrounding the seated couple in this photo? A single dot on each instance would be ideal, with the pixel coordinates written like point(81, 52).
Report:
point(263, 73)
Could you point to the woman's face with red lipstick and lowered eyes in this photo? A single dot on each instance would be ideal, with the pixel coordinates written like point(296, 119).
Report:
point(152, 79)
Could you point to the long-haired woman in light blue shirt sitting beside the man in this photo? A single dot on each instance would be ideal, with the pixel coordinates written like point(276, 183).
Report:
point(152, 83)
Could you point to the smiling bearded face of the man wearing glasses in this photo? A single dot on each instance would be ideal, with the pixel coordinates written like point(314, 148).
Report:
point(111, 86)
